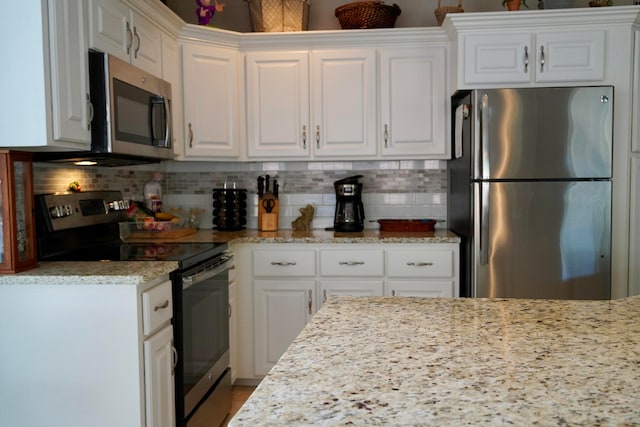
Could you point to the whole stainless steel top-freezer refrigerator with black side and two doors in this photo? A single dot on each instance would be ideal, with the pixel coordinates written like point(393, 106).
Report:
point(529, 191)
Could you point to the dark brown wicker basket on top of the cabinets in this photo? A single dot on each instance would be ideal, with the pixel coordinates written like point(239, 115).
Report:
point(367, 14)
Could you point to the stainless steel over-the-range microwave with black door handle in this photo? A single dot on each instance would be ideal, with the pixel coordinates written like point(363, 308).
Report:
point(131, 116)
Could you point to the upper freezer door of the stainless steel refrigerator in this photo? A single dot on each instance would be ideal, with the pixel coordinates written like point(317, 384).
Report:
point(549, 133)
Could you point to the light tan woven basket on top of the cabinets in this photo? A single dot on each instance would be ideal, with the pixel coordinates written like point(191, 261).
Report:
point(279, 15)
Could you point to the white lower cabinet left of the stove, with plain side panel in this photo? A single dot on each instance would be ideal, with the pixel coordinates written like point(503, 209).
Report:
point(87, 355)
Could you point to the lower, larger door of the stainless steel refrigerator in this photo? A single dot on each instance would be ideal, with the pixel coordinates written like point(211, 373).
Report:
point(542, 240)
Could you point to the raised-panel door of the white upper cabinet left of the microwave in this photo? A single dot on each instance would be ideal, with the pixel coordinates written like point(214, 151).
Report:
point(69, 71)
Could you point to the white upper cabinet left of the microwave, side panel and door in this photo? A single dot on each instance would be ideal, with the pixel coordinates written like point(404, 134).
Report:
point(45, 81)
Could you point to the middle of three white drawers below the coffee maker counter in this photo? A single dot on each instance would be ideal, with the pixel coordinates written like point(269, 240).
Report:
point(361, 263)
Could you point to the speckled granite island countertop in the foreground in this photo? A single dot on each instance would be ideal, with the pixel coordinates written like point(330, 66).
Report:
point(437, 362)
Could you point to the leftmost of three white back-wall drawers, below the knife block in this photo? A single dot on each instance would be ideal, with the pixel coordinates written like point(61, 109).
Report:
point(284, 263)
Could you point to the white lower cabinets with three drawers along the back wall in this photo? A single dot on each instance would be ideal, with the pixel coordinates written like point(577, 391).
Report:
point(281, 286)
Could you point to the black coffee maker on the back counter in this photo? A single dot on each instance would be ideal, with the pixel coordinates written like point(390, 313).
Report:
point(349, 214)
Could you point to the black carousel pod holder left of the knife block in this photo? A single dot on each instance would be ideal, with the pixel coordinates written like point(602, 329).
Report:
point(229, 209)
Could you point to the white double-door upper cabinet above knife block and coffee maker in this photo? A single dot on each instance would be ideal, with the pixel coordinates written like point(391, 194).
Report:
point(319, 104)
